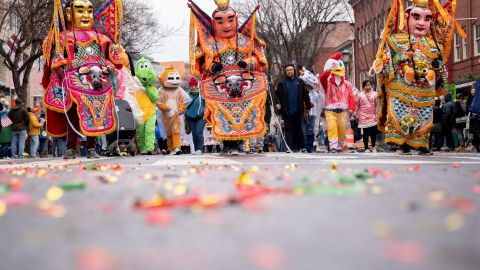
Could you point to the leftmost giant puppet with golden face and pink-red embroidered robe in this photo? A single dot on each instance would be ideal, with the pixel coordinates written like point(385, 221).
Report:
point(82, 60)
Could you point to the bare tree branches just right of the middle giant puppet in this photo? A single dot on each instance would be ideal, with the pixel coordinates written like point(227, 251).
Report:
point(294, 30)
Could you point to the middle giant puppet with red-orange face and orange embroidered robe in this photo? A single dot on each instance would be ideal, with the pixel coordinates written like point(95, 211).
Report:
point(230, 60)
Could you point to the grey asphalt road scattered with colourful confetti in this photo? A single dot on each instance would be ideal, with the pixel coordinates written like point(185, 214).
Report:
point(272, 211)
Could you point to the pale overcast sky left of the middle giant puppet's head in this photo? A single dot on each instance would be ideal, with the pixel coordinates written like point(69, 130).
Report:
point(176, 13)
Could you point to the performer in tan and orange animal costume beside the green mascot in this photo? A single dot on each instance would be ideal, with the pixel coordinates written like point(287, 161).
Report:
point(172, 102)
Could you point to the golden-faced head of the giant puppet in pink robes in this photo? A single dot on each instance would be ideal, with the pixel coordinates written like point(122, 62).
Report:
point(80, 14)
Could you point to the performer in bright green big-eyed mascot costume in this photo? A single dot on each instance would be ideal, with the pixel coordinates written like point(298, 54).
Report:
point(146, 98)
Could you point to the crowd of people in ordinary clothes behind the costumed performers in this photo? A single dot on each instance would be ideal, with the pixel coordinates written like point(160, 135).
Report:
point(296, 124)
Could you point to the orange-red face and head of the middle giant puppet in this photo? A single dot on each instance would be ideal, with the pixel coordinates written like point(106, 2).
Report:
point(225, 20)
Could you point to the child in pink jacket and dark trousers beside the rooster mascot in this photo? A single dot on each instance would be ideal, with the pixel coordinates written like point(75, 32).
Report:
point(366, 110)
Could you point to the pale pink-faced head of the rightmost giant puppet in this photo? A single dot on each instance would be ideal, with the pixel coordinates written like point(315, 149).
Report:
point(418, 17)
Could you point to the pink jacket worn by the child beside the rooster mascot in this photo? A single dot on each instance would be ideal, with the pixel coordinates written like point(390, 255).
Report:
point(366, 108)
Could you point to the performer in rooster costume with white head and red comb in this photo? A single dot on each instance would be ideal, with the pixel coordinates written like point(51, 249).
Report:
point(339, 101)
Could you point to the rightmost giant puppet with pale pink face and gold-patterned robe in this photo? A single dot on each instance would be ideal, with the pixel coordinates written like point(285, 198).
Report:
point(410, 67)
